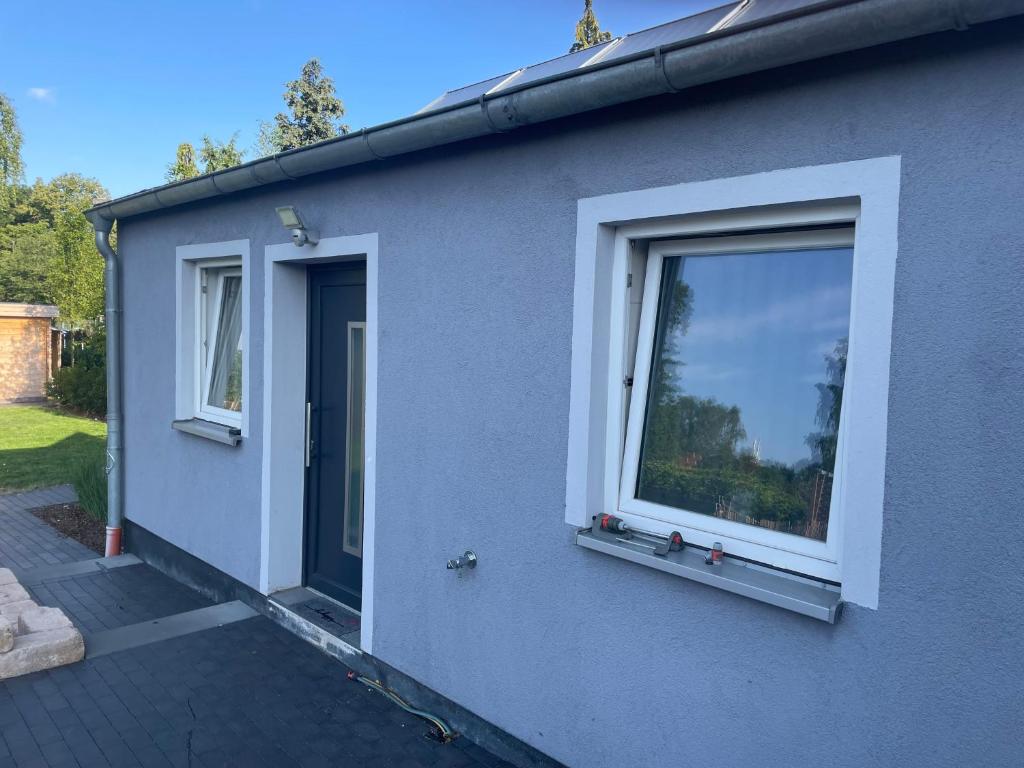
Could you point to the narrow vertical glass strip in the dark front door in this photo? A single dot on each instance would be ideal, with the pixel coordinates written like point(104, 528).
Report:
point(355, 443)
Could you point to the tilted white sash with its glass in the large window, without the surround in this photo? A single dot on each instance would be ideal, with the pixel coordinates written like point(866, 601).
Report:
point(734, 412)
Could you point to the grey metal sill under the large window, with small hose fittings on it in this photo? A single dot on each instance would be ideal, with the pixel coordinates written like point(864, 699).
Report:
point(733, 576)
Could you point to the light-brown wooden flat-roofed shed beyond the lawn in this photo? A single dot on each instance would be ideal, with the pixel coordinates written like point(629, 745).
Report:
point(30, 351)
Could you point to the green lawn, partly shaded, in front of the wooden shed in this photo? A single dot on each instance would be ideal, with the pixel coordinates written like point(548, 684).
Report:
point(40, 447)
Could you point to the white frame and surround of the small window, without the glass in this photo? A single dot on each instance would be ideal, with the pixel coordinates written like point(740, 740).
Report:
point(192, 365)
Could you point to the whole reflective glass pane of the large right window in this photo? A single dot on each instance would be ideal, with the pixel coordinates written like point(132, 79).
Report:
point(747, 388)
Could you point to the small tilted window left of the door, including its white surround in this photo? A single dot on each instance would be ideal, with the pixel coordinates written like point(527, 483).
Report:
point(211, 376)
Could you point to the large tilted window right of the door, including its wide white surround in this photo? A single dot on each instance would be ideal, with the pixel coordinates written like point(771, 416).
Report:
point(731, 366)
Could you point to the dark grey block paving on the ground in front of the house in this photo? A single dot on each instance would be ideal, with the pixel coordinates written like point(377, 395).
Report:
point(248, 694)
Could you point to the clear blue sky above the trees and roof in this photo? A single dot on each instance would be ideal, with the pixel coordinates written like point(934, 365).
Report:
point(110, 90)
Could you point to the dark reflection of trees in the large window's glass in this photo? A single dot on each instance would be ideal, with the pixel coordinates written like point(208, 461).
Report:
point(693, 455)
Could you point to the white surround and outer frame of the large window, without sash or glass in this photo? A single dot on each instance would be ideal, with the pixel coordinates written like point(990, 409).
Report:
point(865, 194)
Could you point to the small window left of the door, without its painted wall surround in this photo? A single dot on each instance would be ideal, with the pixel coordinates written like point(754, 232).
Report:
point(220, 345)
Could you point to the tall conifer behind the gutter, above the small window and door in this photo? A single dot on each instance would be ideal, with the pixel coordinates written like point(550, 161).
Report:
point(316, 113)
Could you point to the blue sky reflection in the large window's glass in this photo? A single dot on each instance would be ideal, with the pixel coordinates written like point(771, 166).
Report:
point(759, 333)
